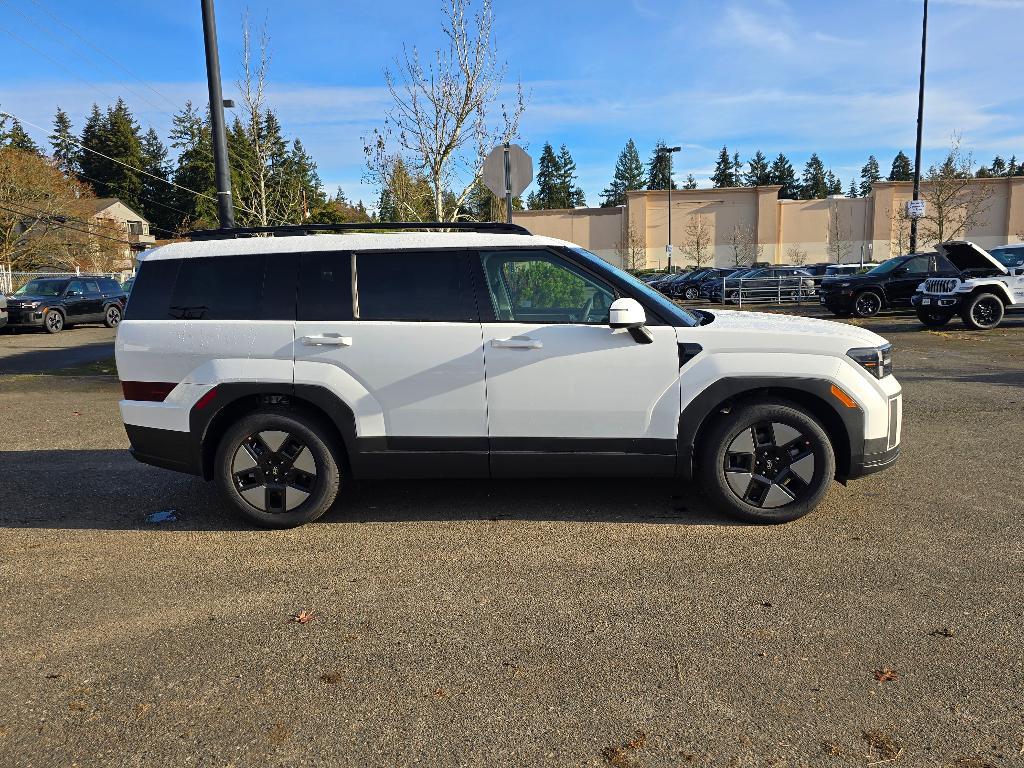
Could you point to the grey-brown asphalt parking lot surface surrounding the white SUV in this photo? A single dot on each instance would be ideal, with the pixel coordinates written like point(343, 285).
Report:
point(543, 623)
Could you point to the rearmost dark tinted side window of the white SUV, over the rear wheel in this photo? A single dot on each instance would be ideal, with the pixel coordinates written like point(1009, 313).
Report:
point(250, 287)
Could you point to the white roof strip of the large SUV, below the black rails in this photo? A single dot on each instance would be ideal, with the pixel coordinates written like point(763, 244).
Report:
point(354, 242)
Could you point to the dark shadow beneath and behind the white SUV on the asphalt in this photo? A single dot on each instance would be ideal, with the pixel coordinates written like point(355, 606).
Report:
point(108, 490)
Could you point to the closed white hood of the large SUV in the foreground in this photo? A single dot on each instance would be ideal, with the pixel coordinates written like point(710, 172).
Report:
point(764, 331)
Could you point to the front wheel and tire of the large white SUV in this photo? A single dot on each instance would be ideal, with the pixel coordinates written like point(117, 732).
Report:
point(766, 462)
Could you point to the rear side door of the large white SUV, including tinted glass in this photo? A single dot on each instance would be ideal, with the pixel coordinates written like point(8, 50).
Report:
point(398, 335)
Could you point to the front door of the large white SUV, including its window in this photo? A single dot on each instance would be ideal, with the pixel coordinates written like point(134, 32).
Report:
point(568, 396)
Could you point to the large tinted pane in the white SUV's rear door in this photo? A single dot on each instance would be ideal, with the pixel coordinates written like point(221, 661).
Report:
point(428, 286)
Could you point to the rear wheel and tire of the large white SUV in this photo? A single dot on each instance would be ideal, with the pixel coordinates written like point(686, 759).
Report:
point(295, 450)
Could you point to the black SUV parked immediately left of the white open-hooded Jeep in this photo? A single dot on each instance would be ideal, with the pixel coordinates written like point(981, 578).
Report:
point(889, 285)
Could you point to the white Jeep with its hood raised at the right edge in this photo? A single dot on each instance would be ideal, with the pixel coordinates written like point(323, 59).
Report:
point(991, 284)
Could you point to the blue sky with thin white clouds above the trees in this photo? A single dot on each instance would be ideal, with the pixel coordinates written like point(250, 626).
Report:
point(835, 77)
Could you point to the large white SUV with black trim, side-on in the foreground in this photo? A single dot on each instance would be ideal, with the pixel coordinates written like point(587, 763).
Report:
point(282, 367)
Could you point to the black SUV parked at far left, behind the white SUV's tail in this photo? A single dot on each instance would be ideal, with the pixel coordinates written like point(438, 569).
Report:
point(54, 304)
